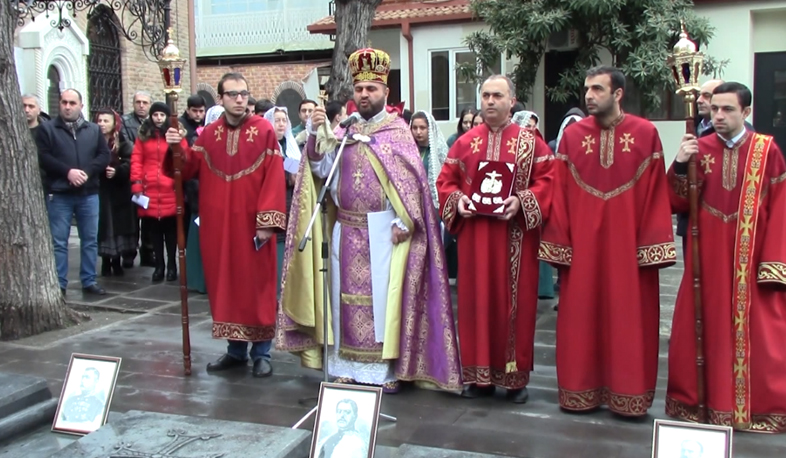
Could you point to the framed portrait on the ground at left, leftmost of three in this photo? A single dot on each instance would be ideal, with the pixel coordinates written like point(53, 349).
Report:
point(87, 393)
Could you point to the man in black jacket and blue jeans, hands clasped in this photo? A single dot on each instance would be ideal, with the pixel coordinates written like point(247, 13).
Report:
point(73, 154)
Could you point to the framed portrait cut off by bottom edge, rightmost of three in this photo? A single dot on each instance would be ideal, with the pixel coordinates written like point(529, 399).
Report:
point(676, 439)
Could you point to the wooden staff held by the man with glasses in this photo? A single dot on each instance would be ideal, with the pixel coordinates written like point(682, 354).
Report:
point(177, 161)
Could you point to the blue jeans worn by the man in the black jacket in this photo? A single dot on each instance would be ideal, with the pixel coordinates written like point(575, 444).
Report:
point(61, 207)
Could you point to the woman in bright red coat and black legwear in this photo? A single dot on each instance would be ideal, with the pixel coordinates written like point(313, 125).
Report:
point(146, 179)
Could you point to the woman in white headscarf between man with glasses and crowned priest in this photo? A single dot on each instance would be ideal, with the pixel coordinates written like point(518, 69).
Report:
point(279, 119)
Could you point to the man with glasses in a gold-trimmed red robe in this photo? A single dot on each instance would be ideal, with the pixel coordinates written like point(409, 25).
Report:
point(242, 203)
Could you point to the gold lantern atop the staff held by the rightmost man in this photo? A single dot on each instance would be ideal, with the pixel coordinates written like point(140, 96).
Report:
point(686, 64)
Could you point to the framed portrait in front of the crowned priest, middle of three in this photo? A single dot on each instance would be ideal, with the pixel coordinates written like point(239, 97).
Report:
point(346, 422)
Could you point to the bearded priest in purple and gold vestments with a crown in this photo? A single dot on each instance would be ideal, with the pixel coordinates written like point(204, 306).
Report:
point(392, 318)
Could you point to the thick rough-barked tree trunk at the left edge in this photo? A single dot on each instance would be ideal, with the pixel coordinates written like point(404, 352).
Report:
point(30, 298)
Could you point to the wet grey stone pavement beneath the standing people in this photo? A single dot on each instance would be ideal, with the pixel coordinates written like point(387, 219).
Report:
point(140, 322)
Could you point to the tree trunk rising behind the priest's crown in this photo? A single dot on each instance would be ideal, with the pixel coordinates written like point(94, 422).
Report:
point(353, 22)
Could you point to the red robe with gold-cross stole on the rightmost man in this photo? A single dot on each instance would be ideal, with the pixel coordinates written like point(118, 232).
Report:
point(744, 303)
